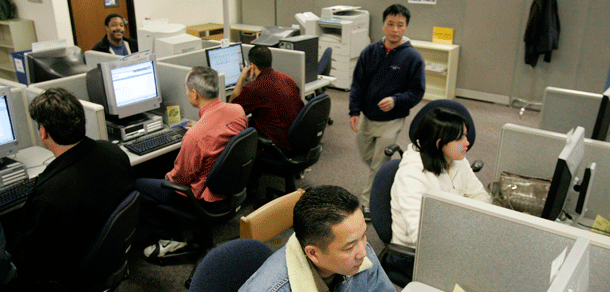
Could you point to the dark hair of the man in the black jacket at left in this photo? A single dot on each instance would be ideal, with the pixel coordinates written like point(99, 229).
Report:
point(61, 114)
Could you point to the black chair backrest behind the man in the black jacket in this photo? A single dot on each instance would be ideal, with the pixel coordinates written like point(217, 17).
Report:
point(108, 252)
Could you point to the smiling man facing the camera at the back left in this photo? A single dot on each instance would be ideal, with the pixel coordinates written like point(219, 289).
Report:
point(115, 42)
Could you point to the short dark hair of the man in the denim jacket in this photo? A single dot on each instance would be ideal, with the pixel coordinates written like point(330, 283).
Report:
point(318, 210)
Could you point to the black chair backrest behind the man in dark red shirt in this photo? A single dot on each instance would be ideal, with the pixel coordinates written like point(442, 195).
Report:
point(308, 128)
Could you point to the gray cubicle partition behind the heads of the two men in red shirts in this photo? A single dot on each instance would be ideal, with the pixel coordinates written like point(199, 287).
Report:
point(289, 62)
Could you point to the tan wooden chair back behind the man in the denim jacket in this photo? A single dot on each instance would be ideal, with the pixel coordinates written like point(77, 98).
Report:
point(271, 219)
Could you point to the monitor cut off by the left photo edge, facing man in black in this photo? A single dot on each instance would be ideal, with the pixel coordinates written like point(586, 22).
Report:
point(9, 138)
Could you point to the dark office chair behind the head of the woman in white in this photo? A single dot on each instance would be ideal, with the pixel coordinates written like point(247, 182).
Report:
point(444, 103)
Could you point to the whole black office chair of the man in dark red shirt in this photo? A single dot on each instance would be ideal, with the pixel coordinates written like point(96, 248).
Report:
point(304, 137)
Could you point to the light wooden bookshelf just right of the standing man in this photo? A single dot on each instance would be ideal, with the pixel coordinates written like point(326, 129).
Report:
point(441, 68)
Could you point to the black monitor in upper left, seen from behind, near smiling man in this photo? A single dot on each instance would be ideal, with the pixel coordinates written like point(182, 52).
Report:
point(54, 64)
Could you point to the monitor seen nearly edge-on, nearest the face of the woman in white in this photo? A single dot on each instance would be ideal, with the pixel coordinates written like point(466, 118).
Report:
point(563, 177)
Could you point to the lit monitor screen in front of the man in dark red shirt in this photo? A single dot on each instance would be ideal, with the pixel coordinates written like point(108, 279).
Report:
point(228, 60)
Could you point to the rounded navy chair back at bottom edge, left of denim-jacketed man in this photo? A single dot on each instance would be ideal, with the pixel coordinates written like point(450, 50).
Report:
point(229, 265)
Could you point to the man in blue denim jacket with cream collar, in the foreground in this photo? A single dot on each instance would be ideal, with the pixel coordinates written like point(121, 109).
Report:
point(327, 252)
